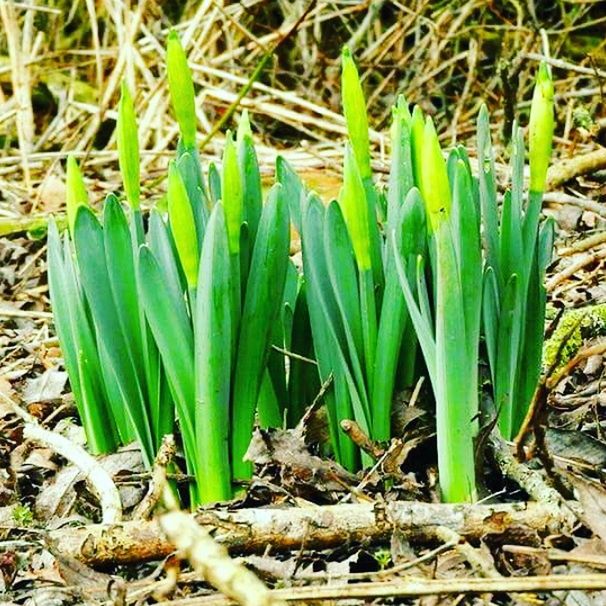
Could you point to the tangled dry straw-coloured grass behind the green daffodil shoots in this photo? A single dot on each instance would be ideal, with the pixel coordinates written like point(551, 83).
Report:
point(61, 64)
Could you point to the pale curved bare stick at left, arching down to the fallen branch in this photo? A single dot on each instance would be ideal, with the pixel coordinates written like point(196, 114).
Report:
point(99, 480)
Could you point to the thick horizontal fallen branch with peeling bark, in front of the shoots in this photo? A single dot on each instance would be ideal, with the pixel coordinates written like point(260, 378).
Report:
point(253, 530)
